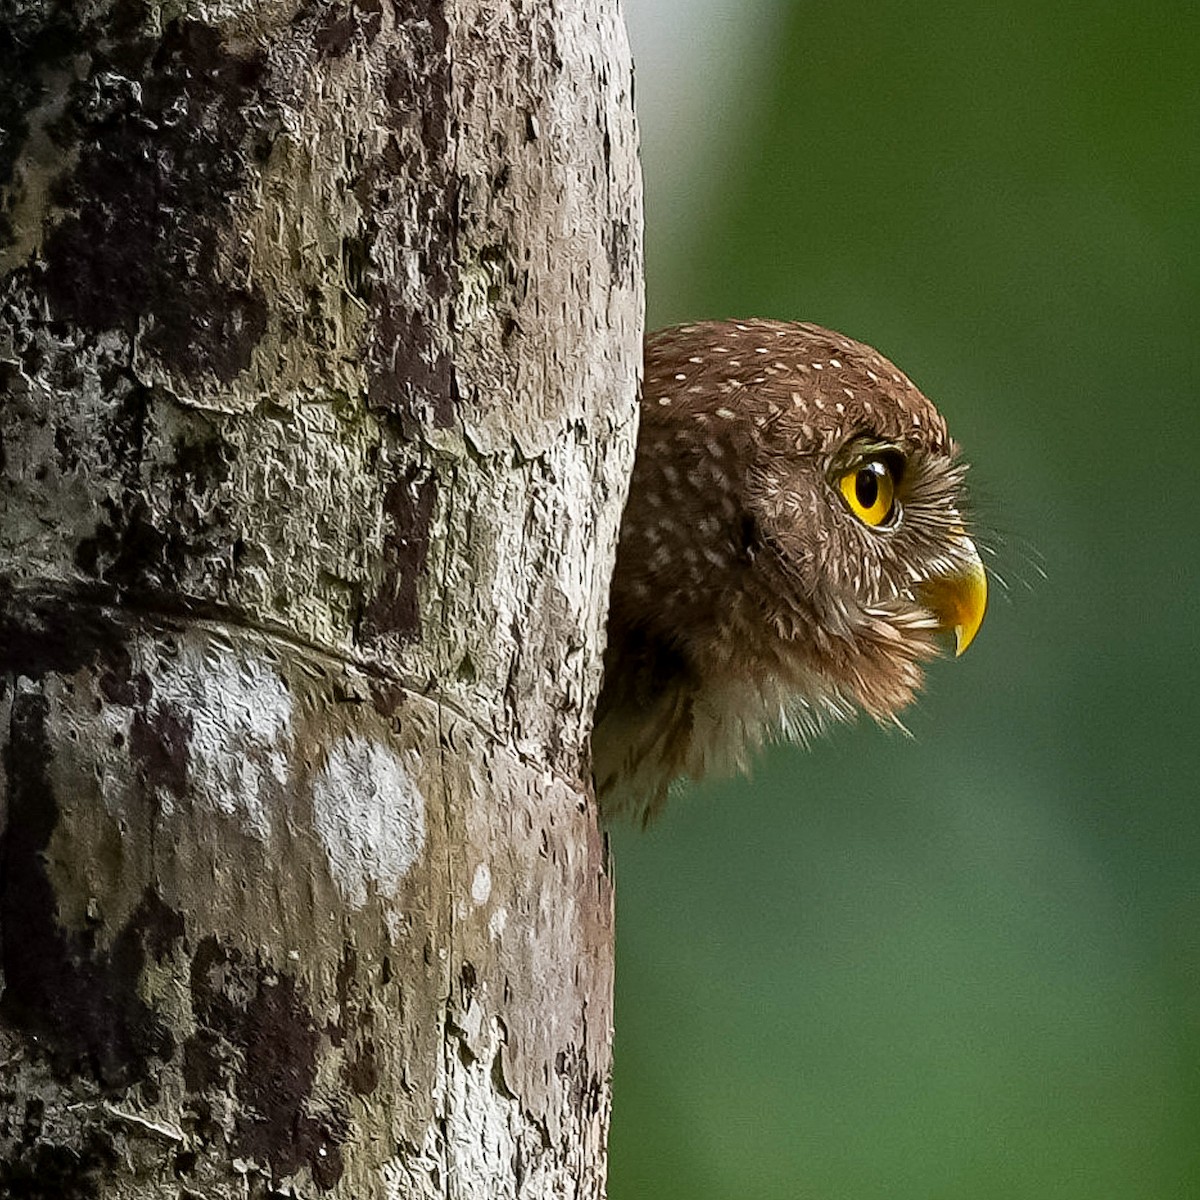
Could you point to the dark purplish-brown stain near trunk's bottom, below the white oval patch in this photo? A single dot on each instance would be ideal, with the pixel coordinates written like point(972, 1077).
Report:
point(256, 1031)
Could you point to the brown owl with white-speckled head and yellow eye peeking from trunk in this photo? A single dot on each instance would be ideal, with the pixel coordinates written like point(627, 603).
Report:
point(794, 549)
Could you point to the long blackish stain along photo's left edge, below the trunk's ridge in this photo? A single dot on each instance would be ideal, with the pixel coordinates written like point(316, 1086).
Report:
point(76, 1005)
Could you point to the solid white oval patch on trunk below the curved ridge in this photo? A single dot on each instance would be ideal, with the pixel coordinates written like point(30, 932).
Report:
point(370, 817)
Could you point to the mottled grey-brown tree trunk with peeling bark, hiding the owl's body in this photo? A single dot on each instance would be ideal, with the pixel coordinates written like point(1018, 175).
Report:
point(320, 337)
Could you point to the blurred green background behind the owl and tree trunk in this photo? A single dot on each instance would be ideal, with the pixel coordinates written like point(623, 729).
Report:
point(967, 964)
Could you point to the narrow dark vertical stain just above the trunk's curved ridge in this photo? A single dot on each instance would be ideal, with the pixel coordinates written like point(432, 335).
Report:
point(409, 511)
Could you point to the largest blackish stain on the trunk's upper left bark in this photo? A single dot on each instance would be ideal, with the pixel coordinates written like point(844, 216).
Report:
point(165, 141)
